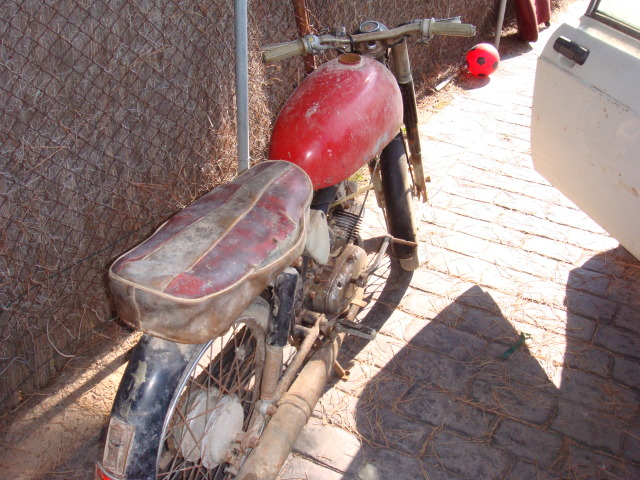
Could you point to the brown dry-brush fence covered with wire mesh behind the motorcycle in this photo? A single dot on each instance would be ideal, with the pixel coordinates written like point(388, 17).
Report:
point(117, 113)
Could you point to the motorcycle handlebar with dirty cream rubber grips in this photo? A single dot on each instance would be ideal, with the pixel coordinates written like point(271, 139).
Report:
point(314, 44)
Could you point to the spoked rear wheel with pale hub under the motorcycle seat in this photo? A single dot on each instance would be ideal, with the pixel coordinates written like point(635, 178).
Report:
point(212, 407)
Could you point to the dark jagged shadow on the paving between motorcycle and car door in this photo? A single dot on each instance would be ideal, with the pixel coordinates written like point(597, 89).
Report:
point(448, 406)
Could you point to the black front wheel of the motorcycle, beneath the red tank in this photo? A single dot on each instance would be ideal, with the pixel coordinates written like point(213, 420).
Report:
point(396, 187)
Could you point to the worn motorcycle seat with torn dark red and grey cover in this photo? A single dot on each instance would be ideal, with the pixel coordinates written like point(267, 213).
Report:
point(193, 277)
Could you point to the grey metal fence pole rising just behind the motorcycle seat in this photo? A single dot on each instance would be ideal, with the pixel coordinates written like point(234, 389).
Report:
point(242, 84)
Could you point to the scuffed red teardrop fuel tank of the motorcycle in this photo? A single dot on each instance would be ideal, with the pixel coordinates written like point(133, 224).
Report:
point(338, 119)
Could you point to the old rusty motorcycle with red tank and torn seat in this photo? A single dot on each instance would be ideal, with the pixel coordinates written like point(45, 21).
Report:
point(245, 296)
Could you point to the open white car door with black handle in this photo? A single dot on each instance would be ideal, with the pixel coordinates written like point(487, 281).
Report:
point(585, 127)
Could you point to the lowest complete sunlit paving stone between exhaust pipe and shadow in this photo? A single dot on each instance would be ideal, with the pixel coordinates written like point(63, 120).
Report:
point(329, 445)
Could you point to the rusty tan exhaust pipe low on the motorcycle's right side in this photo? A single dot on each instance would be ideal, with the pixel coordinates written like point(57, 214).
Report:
point(294, 410)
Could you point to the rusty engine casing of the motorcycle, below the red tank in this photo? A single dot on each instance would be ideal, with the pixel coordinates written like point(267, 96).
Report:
point(333, 287)
